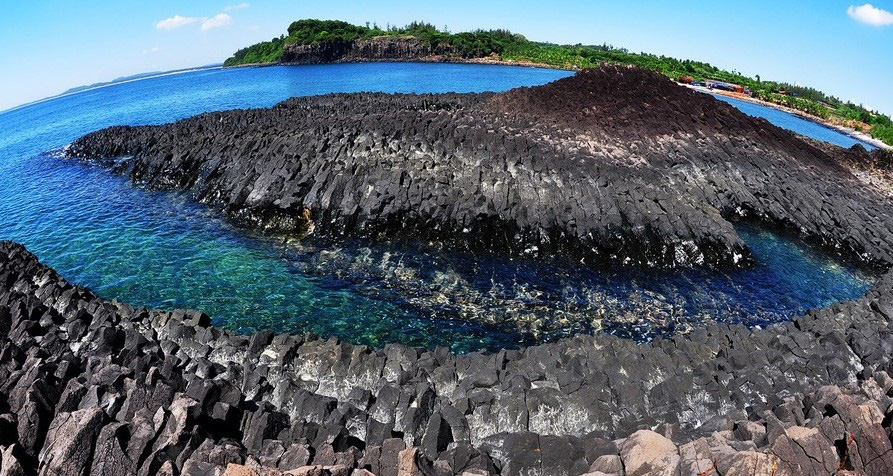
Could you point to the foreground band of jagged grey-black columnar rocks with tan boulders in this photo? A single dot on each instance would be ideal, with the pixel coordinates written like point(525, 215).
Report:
point(89, 386)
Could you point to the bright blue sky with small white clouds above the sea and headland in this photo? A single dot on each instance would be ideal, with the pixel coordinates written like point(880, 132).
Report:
point(841, 47)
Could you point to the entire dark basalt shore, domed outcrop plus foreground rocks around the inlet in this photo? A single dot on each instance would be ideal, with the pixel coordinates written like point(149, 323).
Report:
point(613, 164)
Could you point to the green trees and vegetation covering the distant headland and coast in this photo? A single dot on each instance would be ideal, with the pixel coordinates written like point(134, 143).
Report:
point(504, 45)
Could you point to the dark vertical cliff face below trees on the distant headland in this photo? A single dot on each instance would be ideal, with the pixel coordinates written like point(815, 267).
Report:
point(373, 49)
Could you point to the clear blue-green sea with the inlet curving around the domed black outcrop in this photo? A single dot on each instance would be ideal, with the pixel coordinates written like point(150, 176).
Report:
point(160, 249)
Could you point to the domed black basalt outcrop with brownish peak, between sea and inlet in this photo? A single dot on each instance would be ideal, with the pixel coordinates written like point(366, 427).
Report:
point(610, 164)
